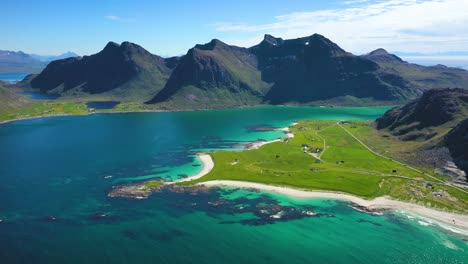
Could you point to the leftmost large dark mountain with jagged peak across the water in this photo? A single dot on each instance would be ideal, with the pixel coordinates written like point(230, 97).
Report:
point(126, 71)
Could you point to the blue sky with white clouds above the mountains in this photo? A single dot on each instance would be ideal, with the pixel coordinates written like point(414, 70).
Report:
point(166, 28)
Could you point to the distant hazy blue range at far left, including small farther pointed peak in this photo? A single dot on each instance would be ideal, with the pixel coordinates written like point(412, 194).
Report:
point(18, 61)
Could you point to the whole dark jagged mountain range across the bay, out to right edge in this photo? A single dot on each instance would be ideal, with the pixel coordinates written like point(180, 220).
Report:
point(309, 70)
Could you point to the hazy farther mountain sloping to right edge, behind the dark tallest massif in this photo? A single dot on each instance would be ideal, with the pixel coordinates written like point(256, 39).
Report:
point(431, 77)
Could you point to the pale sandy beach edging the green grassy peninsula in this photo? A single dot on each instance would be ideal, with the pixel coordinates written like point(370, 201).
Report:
point(444, 219)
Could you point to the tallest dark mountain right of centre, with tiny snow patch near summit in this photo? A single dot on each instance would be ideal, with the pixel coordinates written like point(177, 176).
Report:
point(314, 68)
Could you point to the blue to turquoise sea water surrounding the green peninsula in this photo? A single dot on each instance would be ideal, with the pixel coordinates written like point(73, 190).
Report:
point(55, 172)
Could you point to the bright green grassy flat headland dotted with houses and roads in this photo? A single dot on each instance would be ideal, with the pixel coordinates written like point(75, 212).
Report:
point(341, 164)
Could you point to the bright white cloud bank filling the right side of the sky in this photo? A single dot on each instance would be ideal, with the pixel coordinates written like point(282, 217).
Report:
point(426, 26)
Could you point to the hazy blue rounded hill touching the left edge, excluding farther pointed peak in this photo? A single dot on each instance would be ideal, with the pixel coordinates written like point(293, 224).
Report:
point(11, 61)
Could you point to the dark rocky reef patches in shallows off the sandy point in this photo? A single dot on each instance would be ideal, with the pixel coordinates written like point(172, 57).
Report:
point(265, 209)
